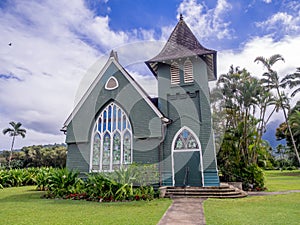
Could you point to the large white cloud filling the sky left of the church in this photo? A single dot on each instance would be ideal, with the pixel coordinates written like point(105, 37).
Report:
point(54, 43)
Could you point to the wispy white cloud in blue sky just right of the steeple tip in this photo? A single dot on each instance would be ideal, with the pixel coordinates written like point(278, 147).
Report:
point(206, 23)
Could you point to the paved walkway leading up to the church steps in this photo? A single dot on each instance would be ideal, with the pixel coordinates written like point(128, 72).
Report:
point(187, 211)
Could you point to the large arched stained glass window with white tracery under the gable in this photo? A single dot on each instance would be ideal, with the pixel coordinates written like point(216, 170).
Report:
point(112, 142)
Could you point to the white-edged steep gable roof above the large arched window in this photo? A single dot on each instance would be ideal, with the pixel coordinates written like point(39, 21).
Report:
point(114, 59)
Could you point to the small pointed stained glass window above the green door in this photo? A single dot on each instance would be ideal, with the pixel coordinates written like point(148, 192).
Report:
point(185, 140)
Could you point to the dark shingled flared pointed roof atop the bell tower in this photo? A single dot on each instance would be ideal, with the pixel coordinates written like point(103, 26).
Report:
point(183, 43)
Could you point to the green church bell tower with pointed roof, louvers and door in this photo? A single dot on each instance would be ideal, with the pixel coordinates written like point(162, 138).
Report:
point(183, 69)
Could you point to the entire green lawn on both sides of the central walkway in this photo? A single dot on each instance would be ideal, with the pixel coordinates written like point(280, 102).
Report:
point(23, 205)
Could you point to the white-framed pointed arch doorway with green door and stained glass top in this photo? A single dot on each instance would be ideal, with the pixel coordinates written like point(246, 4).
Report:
point(187, 166)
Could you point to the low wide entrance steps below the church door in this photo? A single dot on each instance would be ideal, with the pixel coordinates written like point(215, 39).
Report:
point(223, 191)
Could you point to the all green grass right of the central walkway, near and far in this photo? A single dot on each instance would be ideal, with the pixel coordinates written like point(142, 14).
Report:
point(271, 209)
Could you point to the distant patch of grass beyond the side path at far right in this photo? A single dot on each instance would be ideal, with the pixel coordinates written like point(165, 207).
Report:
point(282, 180)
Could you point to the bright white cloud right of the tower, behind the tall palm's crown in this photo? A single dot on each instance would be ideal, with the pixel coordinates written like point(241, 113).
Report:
point(288, 47)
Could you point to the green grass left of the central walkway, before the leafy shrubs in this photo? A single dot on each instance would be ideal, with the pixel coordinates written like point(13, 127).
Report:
point(24, 205)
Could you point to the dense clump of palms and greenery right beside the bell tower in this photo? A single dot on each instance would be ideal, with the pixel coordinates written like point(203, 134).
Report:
point(236, 101)
